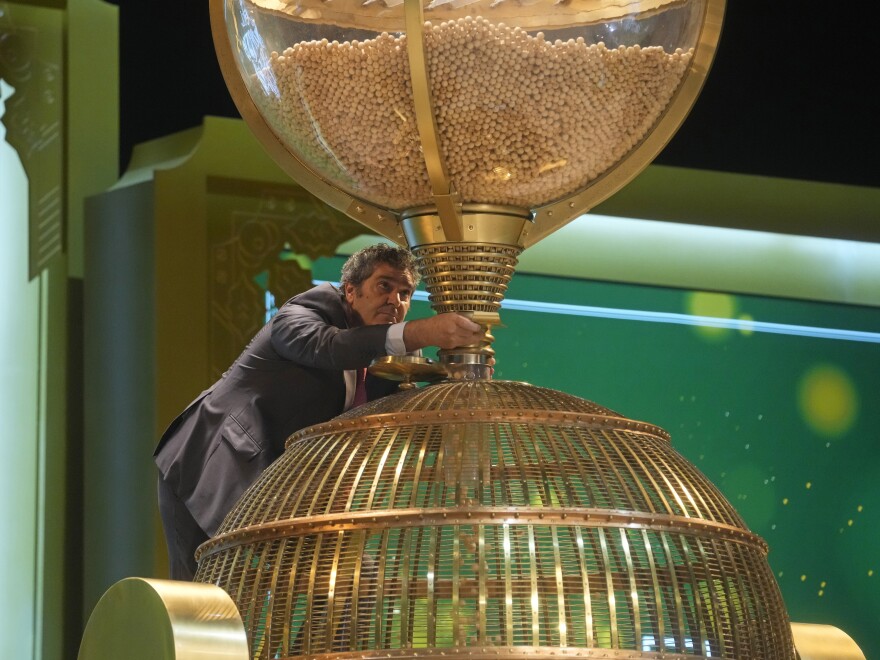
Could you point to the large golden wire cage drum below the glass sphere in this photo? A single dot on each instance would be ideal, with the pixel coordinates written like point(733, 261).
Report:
point(493, 519)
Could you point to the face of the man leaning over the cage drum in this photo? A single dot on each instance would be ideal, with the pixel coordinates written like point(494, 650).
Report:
point(384, 297)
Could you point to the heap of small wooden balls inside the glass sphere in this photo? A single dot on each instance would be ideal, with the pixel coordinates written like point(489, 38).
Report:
point(522, 120)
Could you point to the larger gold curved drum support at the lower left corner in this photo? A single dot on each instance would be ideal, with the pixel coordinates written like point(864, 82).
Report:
point(141, 619)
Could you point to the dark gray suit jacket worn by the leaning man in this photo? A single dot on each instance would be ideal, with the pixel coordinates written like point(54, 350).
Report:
point(289, 377)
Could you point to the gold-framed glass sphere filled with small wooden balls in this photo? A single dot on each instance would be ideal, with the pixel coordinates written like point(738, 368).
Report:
point(528, 103)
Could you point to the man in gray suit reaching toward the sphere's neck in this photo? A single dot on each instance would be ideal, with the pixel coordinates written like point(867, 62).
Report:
point(299, 370)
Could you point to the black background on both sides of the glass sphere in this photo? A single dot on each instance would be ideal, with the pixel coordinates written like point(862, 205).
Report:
point(792, 92)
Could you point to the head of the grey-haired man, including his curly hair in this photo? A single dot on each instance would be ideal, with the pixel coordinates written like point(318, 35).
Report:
point(378, 282)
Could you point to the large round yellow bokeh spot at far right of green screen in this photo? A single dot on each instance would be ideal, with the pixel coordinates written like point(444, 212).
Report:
point(828, 400)
